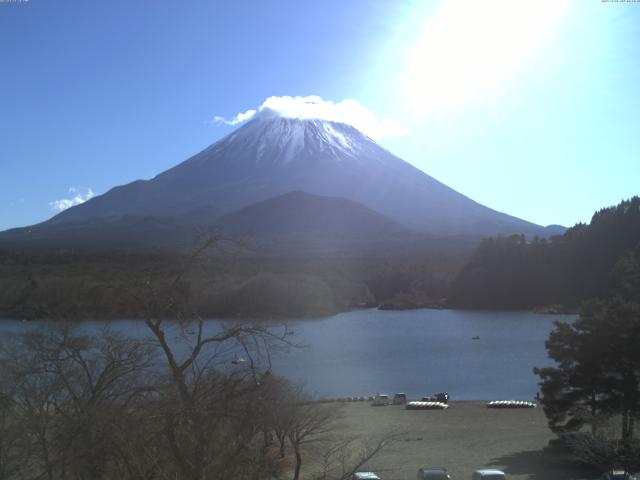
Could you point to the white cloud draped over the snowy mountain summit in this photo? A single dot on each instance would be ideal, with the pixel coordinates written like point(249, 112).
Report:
point(314, 107)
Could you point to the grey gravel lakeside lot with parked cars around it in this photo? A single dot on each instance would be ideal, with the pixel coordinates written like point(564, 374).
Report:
point(465, 437)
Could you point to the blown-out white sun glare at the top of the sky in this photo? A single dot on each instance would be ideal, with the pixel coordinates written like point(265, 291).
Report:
point(467, 49)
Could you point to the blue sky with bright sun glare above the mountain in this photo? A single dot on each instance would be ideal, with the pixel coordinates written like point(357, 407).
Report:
point(532, 111)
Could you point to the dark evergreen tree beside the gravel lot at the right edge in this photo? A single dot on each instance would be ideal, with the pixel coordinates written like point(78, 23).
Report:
point(597, 376)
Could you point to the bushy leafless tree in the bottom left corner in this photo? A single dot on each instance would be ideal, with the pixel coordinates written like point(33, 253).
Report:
point(69, 391)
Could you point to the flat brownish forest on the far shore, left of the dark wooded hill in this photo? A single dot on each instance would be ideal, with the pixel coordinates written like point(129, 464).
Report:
point(114, 285)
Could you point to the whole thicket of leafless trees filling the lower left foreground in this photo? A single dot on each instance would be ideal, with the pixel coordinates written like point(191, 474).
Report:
point(193, 400)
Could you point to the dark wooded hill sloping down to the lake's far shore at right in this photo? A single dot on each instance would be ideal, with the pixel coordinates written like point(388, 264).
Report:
point(515, 272)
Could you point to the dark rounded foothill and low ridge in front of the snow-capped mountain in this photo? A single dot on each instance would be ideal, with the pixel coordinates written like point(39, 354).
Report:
point(294, 224)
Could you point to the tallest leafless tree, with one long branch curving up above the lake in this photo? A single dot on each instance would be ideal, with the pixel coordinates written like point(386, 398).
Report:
point(211, 410)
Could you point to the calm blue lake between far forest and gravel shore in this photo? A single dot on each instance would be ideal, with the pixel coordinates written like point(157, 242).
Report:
point(418, 352)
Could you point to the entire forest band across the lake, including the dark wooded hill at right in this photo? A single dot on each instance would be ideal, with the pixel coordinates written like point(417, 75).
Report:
point(512, 272)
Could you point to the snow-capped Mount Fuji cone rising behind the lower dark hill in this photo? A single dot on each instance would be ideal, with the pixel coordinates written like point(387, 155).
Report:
point(273, 155)
